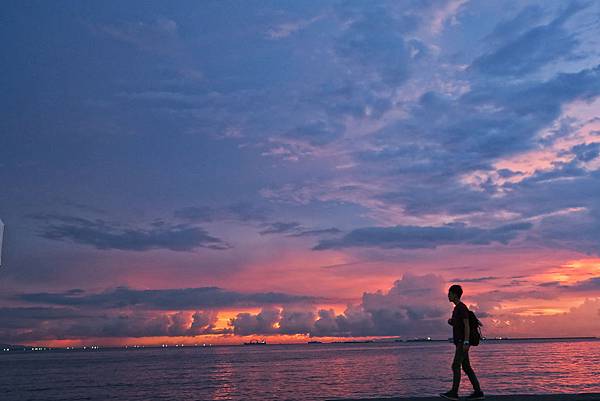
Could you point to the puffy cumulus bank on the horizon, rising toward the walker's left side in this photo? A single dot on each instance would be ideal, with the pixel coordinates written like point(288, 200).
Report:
point(415, 305)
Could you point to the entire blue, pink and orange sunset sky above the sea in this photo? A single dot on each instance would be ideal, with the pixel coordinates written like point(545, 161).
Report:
point(217, 171)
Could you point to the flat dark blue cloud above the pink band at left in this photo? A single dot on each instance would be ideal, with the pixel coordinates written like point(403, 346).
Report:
point(105, 235)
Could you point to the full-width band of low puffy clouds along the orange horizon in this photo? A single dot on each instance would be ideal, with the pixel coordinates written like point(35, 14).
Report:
point(415, 306)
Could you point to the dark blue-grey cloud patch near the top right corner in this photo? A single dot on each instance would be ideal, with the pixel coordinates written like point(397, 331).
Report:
point(533, 48)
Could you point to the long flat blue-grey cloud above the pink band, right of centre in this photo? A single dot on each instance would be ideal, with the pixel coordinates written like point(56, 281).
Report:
point(414, 237)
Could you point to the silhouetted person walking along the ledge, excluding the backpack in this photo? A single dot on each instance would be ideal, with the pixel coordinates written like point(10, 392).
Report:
point(461, 331)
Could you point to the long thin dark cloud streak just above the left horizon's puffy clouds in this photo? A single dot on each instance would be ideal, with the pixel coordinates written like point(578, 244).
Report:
point(169, 299)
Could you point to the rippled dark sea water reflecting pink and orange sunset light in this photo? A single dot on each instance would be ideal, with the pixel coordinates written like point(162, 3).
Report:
point(296, 372)
